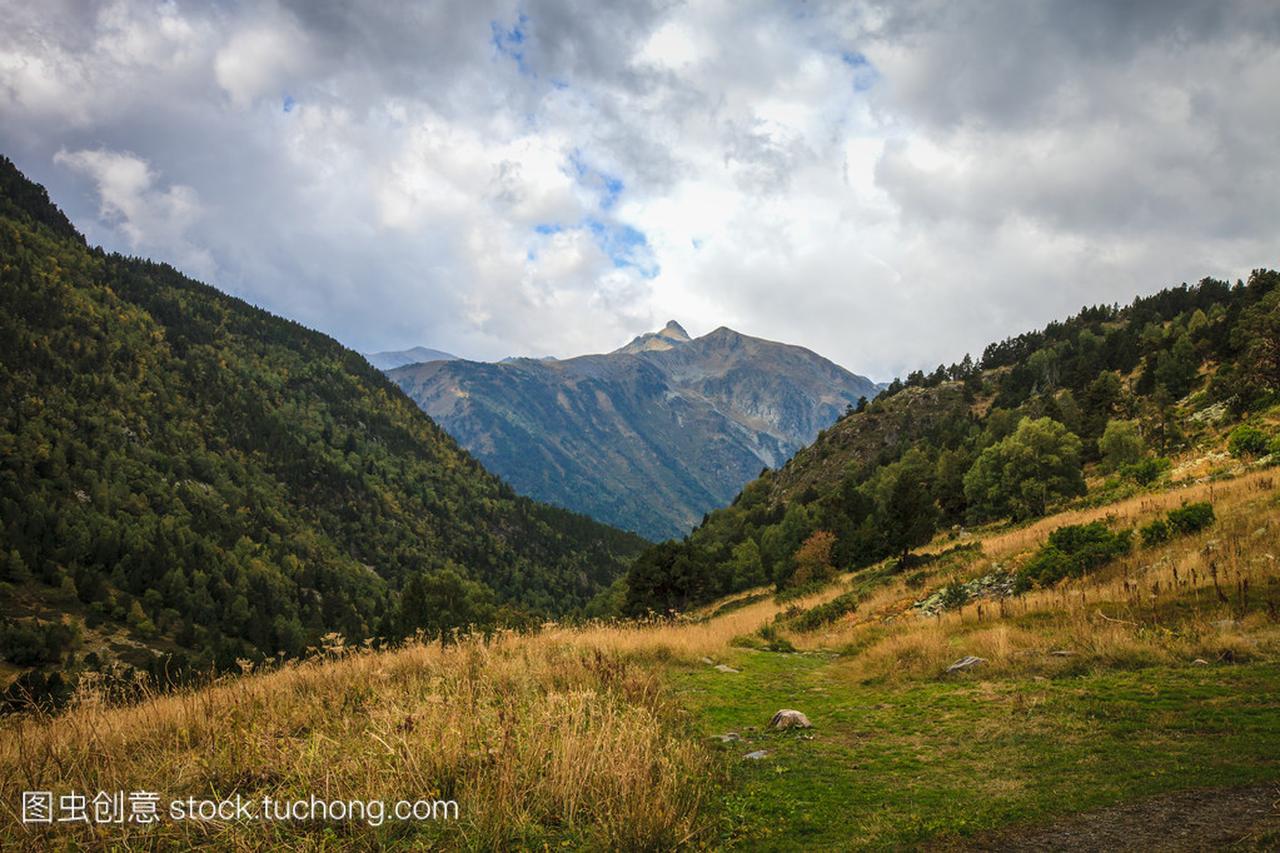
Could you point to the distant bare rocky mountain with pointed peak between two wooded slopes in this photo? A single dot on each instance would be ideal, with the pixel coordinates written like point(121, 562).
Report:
point(648, 437)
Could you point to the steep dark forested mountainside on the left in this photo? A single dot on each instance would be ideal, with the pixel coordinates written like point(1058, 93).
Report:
point(204, 472)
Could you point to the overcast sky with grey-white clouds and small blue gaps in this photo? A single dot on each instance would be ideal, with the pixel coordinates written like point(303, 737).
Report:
point(890, 185)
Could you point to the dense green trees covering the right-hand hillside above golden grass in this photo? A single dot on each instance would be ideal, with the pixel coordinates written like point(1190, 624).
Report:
point(1103, 386)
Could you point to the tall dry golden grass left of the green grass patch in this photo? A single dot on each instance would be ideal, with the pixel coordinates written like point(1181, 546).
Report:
point(528, 735)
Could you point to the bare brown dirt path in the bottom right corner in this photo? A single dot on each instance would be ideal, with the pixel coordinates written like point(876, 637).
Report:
point(1241, 819)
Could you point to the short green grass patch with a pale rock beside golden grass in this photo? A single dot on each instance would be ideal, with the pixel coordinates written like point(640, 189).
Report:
point(902, 765)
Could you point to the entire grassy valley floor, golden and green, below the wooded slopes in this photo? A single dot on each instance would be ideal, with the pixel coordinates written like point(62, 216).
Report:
point(1136, 685)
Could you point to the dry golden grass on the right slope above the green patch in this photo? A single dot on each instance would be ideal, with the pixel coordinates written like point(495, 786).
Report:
point(1214, 596)
